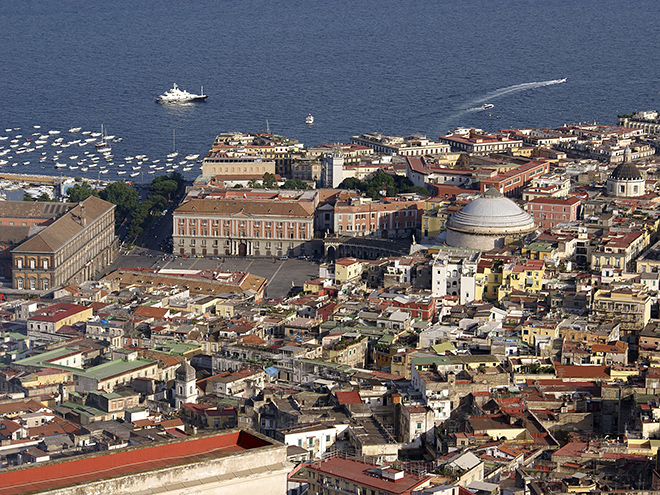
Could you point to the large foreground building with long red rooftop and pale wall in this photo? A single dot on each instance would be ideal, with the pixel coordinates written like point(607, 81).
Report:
point(230, 461)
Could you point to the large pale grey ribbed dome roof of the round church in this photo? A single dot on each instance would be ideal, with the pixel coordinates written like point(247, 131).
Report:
point(492, 214)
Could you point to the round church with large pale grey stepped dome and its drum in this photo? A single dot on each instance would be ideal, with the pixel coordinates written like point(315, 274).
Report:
point(491, 221)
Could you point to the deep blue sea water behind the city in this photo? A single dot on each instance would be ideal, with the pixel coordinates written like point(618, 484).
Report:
point(372, 65)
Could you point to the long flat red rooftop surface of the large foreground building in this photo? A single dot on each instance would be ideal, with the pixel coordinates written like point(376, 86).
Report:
point(93, 467)
